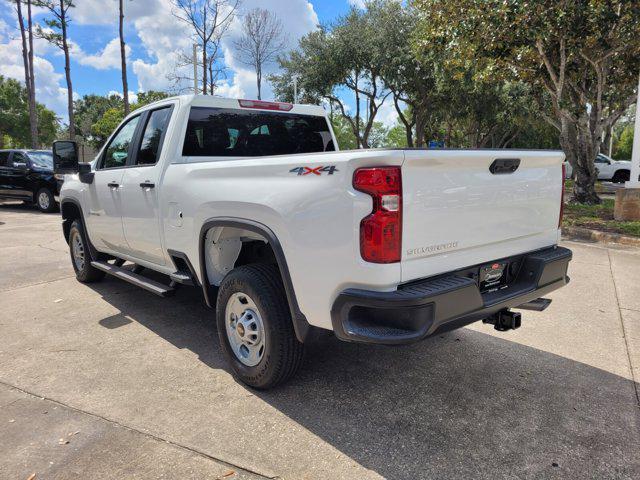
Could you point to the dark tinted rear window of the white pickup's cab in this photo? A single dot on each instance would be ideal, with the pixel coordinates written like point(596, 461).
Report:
point(221, 132)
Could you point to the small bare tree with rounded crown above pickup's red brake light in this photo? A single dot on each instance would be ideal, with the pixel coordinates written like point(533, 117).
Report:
point(260, 42)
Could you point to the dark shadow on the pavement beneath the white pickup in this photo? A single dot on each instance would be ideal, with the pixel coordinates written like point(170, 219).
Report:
point(463, 404)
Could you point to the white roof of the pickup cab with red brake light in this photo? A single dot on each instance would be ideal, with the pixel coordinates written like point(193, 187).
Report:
point(220, 102)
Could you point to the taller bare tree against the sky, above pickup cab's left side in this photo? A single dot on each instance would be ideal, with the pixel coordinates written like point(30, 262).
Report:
point(210, 20)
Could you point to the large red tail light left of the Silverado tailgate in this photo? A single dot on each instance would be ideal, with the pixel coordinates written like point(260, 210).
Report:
point(381, 231)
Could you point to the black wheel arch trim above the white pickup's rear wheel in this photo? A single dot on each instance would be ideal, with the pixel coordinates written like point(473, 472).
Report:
point(300, 323)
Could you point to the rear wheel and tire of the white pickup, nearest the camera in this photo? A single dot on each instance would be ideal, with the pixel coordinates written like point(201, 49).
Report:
point(255, 328)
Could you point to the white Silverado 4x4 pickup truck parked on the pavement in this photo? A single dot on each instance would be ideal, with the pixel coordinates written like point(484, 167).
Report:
point(252, 202)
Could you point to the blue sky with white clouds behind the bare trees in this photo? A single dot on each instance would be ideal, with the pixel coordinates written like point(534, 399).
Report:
point(154, 39)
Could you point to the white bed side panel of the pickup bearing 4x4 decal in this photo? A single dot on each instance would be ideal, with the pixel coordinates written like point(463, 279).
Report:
point(316, 218)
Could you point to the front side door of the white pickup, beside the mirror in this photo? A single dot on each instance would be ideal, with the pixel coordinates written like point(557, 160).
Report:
point(104, 194)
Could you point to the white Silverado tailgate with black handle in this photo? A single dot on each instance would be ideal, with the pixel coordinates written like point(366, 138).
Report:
point(457, 213)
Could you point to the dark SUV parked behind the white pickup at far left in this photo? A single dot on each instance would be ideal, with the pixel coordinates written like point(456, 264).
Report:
point(28, 175)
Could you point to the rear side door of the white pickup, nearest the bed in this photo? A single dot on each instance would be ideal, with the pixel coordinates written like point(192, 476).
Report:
point(141, 213)
